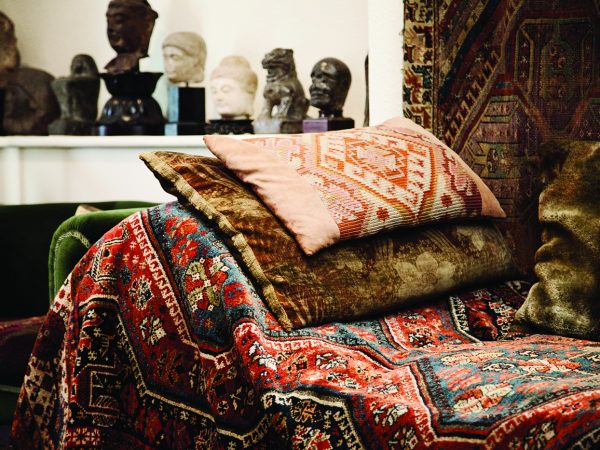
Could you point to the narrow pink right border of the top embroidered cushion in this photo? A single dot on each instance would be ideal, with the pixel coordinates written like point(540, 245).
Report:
point(490, 205)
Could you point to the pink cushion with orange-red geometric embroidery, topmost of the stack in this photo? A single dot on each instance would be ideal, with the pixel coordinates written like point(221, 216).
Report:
point(339, 185)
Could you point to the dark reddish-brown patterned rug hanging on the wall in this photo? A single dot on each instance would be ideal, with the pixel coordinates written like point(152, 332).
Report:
point(497, 78)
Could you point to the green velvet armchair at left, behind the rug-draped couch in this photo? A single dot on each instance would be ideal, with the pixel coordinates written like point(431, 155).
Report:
point(40, 244)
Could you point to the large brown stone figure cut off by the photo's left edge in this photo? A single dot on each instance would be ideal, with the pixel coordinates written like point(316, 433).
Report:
point(29, 103)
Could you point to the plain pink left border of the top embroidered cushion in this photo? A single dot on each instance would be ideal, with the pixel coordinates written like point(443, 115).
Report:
point(287, 194)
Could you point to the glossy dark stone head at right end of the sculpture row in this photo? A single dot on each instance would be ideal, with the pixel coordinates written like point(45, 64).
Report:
point(330, 84)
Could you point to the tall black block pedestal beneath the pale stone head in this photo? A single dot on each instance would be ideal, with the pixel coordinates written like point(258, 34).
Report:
point(186, 114)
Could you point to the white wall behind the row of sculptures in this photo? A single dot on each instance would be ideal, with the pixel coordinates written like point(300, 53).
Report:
point(51, 32)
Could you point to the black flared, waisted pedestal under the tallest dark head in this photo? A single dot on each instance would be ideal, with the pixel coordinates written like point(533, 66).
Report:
point(131, 110)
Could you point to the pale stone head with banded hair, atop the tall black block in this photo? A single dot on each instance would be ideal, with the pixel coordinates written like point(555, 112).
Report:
point(184, 57)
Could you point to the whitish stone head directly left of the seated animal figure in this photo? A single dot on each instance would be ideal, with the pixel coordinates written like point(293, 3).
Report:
point(233, 88)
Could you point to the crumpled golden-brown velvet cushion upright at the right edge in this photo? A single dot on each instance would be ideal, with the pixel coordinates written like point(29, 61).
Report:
point(566, 298)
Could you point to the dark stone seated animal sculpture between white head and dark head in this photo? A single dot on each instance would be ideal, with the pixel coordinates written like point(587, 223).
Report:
point(285, 104)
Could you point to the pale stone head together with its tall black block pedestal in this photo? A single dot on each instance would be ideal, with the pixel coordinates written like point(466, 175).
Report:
point(184, 57)
